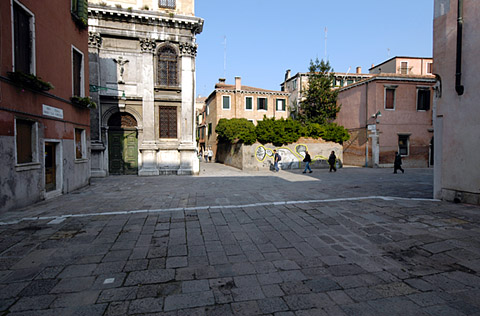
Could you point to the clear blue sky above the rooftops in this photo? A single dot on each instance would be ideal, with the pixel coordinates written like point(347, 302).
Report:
point(266, 37)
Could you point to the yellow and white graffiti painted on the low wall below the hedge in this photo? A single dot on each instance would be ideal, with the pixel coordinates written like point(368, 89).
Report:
point(291, 159)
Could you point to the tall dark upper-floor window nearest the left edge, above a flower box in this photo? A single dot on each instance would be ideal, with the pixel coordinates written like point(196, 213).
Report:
point(23, 38)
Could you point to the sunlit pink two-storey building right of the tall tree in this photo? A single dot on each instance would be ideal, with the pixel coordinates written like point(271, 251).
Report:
point(385, 114)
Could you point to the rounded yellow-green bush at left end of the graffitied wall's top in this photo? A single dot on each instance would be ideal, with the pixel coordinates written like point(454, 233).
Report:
point(236, 130)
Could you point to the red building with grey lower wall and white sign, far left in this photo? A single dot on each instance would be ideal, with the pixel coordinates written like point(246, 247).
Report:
point(44, 136)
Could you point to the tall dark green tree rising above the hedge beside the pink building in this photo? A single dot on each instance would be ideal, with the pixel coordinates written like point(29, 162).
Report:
point(320, 103)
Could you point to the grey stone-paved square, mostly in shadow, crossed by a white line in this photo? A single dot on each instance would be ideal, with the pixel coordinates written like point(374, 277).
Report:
point(228, 242)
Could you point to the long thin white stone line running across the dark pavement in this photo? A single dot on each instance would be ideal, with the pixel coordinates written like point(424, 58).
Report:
point(61, 218)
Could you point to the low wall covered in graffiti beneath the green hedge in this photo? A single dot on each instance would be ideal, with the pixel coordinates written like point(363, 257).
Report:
point(260, 157)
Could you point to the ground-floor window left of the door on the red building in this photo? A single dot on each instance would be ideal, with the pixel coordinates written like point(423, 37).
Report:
point(26, 141)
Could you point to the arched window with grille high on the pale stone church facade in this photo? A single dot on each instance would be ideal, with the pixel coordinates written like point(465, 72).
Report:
point(167, 72)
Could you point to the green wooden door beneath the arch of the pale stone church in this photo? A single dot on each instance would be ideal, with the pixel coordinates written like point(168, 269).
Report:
point(123, 152)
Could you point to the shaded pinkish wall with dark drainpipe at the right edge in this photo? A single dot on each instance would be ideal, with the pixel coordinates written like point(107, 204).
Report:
point(457, 113)
